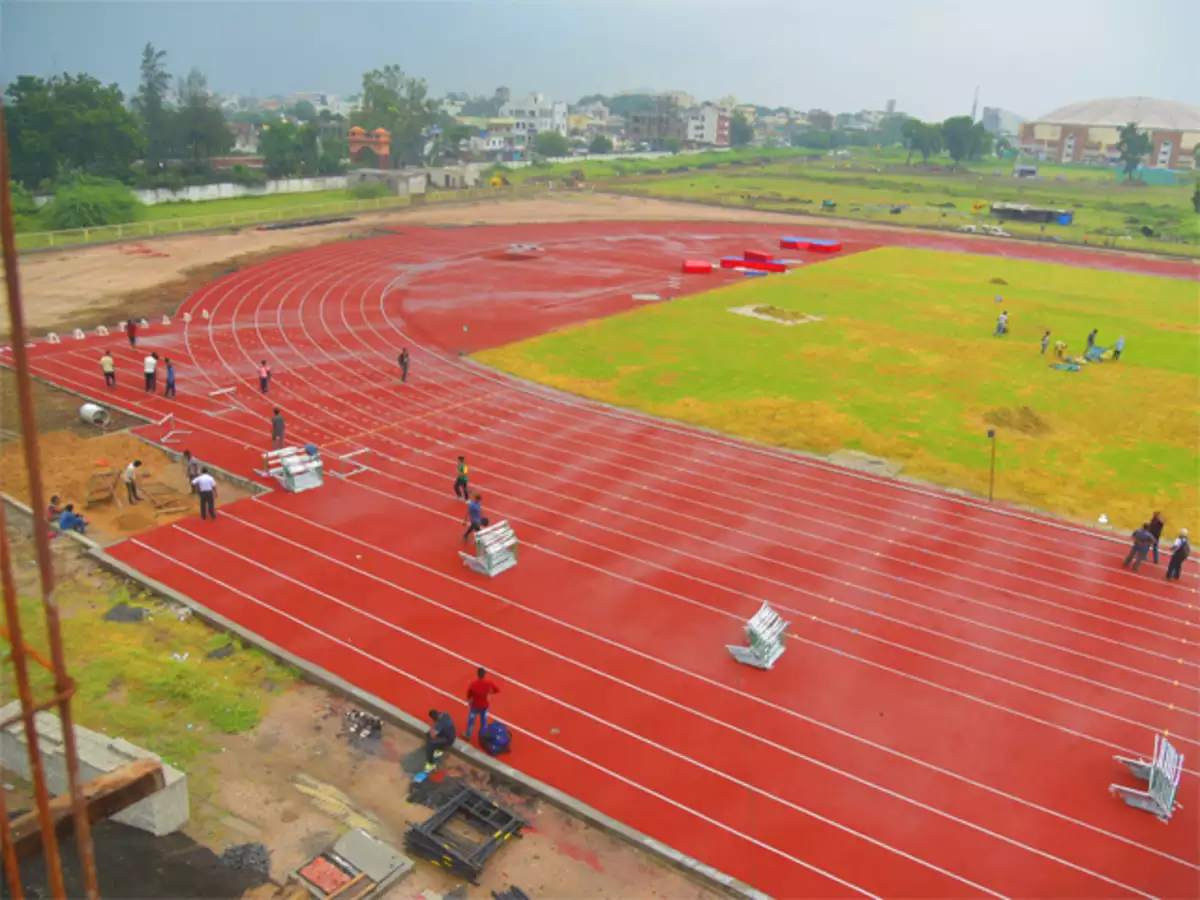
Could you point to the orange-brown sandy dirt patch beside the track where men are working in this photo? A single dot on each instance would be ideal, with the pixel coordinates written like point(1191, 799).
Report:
point(69, 461)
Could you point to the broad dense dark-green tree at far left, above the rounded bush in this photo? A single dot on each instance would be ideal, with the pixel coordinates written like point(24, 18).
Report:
point(69, 124)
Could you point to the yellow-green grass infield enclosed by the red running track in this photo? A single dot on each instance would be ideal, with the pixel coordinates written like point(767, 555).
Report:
point(904, 365)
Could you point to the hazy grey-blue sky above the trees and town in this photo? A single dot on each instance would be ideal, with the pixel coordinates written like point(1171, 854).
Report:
point(1028, 57)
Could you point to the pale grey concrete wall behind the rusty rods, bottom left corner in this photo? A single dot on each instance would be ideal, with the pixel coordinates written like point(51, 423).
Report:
point(160, 814)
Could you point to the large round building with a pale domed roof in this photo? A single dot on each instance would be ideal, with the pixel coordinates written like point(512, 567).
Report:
point(1090, 131)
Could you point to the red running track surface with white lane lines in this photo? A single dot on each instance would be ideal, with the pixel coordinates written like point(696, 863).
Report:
point(959, 677)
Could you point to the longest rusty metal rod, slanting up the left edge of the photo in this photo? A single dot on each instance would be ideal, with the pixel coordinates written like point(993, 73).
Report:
point(41, 539)
